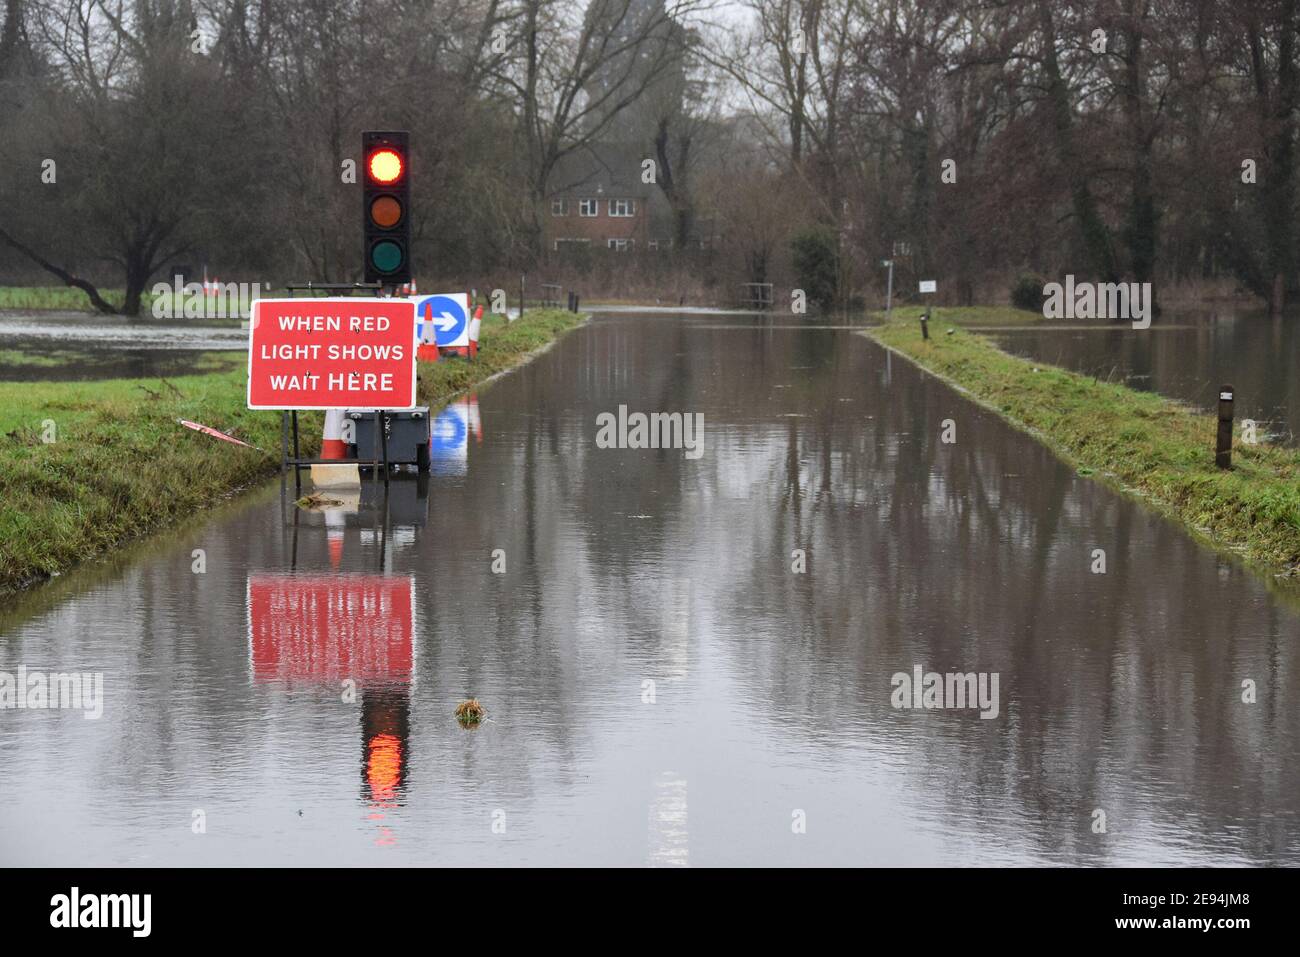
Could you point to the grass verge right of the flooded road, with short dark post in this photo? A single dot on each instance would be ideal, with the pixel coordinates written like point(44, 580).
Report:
point(1147, 445)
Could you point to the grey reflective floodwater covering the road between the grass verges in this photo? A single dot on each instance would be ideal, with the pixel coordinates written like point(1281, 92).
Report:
point(662, 687)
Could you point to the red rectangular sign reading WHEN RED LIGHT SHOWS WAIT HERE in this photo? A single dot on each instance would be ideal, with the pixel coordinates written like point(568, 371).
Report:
point(332, 354)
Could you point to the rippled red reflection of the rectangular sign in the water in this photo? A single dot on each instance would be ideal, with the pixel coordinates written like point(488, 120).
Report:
point(331, 629)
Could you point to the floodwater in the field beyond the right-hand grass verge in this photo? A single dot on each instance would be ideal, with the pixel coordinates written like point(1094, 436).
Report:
point(1186, 356)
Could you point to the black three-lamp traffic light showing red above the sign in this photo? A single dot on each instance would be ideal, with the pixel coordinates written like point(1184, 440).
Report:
point(387, 211)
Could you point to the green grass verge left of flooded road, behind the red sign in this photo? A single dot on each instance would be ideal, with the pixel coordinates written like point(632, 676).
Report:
point(119, 465)
